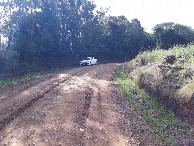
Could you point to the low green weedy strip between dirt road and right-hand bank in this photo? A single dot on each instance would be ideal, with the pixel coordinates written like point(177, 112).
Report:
point(163, 122)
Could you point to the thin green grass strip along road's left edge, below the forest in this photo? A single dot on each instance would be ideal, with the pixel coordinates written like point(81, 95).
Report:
point(29, 75)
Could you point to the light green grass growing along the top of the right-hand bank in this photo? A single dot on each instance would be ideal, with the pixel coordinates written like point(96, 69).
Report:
point(158, 55)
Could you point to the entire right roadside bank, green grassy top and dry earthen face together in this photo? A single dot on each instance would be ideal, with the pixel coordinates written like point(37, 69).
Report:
point(168, 76)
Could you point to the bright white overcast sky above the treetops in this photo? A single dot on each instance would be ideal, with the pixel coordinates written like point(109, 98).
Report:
point(152, 12)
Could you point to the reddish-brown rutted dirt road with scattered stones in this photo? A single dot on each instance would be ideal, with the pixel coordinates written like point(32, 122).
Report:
point(78, 107)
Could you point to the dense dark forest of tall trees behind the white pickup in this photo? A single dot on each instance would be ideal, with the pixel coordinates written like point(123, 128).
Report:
point(41, 34)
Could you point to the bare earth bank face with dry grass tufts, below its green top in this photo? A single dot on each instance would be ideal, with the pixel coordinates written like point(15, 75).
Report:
point(172, 86)
